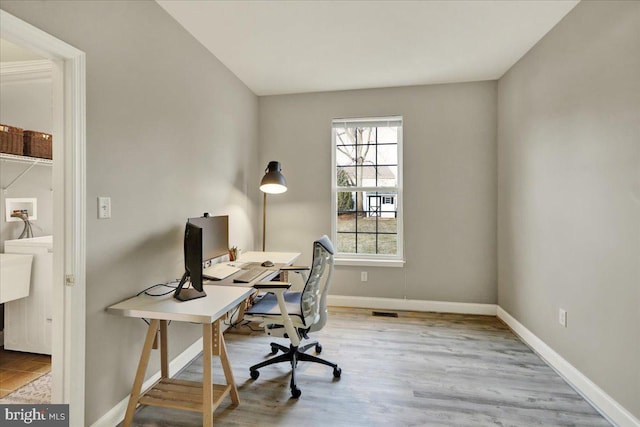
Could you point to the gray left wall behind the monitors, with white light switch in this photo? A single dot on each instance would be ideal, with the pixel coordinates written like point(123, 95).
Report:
point(171, 133)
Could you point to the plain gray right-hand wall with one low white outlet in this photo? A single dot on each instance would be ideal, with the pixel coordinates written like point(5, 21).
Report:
point(569, 193)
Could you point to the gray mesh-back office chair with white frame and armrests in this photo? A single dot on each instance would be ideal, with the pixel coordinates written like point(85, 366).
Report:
point(293, 314)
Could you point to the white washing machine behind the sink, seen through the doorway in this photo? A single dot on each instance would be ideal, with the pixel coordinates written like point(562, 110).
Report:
point(28, 321)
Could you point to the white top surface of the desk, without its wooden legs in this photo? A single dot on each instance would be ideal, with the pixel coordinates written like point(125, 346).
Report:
point(222, 296)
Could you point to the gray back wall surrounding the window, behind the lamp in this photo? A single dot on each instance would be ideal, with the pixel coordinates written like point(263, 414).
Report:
point(449, 185)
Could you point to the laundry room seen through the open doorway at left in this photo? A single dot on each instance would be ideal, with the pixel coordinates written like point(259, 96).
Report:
point(26, 186)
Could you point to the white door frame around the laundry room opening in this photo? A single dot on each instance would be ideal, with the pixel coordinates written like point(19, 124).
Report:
point(69, 208)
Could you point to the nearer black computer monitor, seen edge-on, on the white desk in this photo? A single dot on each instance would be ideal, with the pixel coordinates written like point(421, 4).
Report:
point(192, 265)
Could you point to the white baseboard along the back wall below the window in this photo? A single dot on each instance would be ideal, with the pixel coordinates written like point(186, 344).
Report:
point(411, 305)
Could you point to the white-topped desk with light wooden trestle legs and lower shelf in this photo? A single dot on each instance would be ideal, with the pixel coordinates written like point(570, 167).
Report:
point(202, 397)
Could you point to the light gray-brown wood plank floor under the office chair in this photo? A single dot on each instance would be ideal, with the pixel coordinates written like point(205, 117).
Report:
point(420, 369)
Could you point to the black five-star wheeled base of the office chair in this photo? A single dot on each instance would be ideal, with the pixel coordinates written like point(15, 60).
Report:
point(292, 355)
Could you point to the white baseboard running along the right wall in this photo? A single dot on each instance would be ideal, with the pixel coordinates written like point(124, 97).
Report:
point(611, 409)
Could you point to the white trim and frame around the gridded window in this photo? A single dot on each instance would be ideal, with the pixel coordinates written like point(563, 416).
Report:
point(344, 259)
